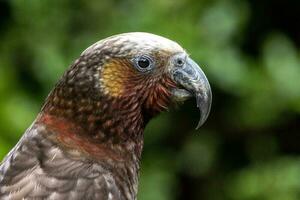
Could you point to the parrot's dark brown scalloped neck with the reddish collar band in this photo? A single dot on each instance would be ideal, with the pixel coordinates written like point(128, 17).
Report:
point(102, 127)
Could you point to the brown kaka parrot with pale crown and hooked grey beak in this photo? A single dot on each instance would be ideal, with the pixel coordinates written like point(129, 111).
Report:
point(87, 140)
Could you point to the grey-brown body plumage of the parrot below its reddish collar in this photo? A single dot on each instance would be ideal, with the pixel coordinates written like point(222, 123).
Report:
point(38, 168)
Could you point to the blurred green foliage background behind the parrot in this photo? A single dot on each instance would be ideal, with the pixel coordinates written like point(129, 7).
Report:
point(249, 149)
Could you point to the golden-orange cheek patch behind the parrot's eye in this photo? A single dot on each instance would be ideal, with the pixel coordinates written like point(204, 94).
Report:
point(113, 77)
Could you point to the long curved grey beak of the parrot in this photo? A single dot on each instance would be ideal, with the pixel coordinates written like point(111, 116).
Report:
point(192, 81)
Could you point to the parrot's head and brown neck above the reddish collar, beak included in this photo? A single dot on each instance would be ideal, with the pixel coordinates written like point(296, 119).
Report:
point(119, 83)
